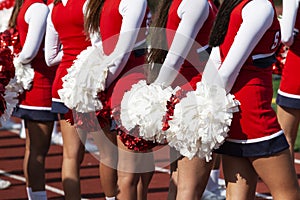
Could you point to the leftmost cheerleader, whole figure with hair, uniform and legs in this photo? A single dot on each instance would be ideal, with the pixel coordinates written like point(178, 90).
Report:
point(29, 18)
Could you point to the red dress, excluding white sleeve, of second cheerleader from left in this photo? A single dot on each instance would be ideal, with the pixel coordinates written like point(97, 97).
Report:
point(68, 21)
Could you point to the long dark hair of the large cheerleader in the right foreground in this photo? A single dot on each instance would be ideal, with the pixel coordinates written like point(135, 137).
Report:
point(221, 23)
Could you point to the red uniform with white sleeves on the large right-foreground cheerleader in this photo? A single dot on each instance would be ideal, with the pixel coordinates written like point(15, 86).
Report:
point(247, 74)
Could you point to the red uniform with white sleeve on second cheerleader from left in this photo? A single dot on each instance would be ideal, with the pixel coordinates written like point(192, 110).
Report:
point(65, 27)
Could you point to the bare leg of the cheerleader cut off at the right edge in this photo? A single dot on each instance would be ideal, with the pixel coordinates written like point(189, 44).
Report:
point(289, 120)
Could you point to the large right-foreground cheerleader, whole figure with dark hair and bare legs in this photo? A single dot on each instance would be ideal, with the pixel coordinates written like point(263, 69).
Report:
point(245, 37)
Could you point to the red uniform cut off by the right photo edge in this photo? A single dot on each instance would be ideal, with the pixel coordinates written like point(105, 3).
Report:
point(289, 89)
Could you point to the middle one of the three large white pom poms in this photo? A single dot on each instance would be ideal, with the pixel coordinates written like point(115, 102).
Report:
point(144, 107)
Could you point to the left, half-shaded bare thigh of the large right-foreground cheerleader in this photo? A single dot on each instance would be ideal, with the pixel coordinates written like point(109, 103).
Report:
point(240, 177)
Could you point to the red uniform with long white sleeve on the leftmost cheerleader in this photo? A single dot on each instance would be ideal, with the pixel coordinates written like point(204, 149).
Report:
point(34, 104)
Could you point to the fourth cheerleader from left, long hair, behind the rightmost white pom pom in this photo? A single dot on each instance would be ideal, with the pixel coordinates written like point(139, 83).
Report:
point(185, 22)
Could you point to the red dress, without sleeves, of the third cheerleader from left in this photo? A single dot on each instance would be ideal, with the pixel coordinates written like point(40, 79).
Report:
point(133, 71)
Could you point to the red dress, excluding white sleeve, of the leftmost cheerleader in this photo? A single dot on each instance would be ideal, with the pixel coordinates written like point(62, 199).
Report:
point(35, 104)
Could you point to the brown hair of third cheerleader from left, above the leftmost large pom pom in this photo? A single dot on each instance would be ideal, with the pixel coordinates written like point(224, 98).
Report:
point(92, 16)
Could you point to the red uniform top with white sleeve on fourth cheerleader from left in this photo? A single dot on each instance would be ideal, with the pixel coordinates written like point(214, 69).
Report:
point(188, 32)
